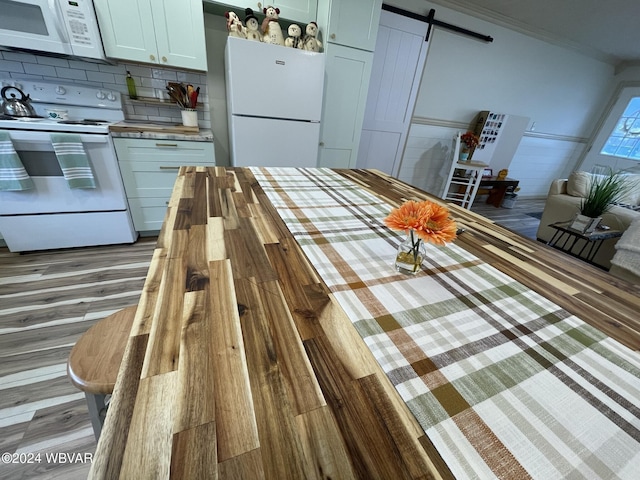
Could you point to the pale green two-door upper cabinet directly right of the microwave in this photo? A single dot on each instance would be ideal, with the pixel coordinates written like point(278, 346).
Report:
point(166, 32)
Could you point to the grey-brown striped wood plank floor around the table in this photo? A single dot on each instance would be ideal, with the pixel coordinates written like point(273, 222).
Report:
point(47, 300)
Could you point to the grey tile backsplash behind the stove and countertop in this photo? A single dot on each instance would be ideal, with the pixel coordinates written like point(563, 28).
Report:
point(150, 82)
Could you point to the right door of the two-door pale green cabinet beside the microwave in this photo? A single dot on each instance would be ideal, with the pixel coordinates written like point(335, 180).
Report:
point(179, 27)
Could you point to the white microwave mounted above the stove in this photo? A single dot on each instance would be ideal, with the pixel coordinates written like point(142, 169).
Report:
point(64, 27)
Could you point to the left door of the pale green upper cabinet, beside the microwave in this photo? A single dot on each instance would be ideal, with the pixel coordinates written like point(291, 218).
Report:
point(127, 29)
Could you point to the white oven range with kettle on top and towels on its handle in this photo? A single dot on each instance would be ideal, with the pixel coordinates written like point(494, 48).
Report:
point(52, 214)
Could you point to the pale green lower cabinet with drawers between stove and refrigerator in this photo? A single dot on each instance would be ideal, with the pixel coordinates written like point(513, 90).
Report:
point(149, 170)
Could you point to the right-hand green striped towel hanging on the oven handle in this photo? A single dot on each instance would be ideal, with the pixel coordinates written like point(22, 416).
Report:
point(73, 160)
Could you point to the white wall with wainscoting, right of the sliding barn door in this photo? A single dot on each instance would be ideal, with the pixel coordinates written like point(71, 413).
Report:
point(561, 91)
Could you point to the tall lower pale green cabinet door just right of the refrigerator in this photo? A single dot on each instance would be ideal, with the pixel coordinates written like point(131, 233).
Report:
point(346, 86)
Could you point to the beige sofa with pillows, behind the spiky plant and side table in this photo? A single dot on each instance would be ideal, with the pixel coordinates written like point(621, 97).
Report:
point(563, 203)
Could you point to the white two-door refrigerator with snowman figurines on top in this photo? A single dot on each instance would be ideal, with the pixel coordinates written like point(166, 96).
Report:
point(274, 104)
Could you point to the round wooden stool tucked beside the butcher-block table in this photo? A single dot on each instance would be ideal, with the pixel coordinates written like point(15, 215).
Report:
point(95, 359)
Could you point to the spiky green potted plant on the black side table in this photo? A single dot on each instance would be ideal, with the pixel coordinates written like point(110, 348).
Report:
point(604, 190)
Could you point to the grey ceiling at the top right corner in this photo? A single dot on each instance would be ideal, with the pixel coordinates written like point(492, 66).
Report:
point(607, 30)
